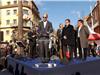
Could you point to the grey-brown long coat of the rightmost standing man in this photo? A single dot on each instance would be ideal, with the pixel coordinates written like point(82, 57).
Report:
point(84, 34)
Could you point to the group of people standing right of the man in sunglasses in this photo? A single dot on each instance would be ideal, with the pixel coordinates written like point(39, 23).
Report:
point(74, 42)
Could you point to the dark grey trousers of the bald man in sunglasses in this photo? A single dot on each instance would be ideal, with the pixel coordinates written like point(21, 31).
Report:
point(44, 49)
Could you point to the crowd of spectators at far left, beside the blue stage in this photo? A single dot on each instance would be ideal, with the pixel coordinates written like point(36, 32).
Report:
point(6, 48)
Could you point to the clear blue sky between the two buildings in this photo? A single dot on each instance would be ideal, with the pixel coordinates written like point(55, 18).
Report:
point(59, 10)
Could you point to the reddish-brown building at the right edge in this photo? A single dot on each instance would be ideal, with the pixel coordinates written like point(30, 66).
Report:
point(96, 18)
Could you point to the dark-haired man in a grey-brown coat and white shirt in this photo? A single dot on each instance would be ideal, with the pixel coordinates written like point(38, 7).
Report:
point(82, 39)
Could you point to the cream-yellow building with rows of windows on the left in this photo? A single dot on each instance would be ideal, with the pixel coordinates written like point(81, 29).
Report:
point(9, 17)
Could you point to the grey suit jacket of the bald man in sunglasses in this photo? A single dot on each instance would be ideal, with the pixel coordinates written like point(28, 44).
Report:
point(44, 32)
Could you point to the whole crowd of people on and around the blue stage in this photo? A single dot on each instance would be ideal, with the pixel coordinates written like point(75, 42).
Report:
point(69, 42)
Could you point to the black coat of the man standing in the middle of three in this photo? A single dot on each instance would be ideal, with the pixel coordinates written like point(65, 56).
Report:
point(70, 35)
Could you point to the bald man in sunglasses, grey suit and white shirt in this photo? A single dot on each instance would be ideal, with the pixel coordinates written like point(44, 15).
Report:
point(45, 28)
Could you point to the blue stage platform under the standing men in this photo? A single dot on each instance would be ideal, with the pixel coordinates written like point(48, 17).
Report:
point(28, 66)
